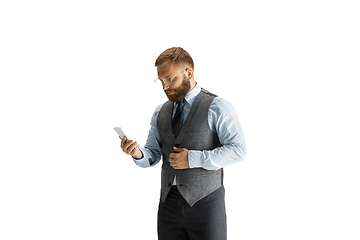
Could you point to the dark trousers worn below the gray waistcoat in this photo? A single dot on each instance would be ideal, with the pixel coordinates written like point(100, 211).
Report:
point(206, 220)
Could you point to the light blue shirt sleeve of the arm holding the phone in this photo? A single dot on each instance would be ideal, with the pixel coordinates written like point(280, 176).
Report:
point(152, 149)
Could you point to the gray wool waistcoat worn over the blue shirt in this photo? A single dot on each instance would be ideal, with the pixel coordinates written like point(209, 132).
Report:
point(195, 134)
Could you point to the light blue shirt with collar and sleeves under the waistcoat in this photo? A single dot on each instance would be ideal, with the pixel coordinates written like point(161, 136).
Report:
point(223, 120)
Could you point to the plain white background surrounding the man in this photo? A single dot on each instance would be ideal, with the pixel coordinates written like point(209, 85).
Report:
point(70, 71)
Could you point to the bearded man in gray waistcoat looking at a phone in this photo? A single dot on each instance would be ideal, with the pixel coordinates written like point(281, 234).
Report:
point(197, 134)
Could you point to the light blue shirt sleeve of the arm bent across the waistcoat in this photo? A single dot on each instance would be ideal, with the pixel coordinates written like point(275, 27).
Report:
point(224, 121)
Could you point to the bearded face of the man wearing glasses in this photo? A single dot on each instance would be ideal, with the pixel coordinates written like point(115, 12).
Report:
point(180, 84)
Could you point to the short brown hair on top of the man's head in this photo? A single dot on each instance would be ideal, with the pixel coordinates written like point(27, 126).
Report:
point(175, 55)
